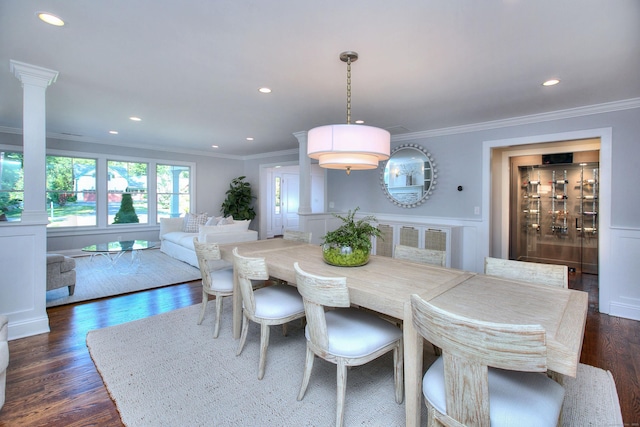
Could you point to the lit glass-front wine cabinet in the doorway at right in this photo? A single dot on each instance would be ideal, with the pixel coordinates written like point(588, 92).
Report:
point(554, 215)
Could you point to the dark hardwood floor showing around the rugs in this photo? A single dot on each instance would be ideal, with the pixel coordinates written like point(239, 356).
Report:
point(52, 381)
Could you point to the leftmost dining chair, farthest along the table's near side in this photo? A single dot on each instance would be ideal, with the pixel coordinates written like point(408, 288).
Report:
point(216, 282)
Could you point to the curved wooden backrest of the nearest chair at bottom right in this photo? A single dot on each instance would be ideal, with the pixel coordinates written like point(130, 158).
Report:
point(469, 347)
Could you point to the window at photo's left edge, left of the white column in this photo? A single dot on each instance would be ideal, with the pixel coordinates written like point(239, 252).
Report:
point(11, 185)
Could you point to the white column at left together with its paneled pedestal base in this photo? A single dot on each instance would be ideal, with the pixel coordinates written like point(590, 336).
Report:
point(23, 244)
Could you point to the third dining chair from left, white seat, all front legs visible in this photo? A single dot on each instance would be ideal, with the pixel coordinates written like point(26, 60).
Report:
point(344, 336)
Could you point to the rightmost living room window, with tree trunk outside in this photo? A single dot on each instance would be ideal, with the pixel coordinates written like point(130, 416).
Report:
point(174, 190)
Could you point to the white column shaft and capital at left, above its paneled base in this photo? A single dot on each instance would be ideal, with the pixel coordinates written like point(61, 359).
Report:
point(35, 81)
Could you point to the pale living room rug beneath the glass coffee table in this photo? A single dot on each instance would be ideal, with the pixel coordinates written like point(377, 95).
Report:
point(98, 278)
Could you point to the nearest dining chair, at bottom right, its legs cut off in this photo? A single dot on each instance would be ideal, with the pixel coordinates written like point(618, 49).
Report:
point(489, 374)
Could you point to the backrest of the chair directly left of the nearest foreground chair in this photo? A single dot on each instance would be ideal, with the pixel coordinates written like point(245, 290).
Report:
point(319, 292)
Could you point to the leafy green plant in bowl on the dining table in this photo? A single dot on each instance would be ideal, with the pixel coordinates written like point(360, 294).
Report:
point(350, 244)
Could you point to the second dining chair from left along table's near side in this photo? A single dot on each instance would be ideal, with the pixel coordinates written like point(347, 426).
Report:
point(277, 304)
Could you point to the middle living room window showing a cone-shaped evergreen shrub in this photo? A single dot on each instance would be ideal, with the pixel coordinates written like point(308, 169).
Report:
point(127, 183)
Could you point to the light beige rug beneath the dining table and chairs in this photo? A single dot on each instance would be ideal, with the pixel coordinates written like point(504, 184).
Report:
point(167, 371)
